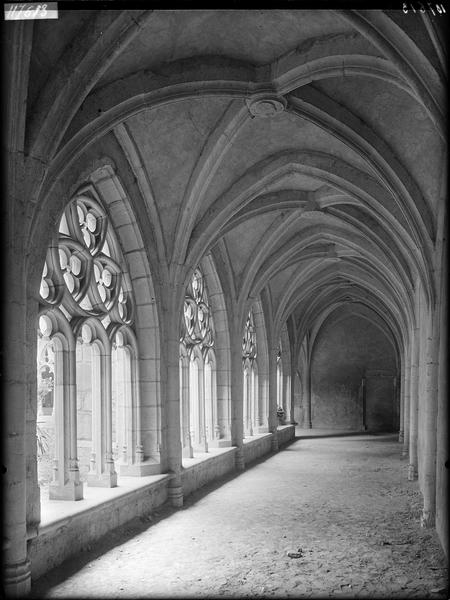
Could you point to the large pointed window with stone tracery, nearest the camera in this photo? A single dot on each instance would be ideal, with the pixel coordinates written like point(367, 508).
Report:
point(86, 300)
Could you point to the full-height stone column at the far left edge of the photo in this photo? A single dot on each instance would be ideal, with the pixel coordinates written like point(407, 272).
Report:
point(16, 48)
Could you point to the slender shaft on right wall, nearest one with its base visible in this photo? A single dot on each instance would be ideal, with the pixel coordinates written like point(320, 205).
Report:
point(429, 427)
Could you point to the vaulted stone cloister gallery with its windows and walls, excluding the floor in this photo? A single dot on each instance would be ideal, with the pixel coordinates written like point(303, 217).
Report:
point(218, 224)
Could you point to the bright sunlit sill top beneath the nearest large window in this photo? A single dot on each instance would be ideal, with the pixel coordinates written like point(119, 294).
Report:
point(55, 512)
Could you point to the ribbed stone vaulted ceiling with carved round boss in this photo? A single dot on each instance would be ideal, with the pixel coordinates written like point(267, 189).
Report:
point(306, 149)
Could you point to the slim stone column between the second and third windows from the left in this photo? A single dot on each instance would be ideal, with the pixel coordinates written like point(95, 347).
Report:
point(237, 398)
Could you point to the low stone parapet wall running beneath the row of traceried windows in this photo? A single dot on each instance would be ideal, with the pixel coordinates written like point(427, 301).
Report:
point(68, 528)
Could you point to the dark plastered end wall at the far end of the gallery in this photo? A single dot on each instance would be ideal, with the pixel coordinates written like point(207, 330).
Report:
point(345, 351)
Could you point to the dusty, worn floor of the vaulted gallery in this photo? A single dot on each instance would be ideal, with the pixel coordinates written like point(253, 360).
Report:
point(329, 516)
